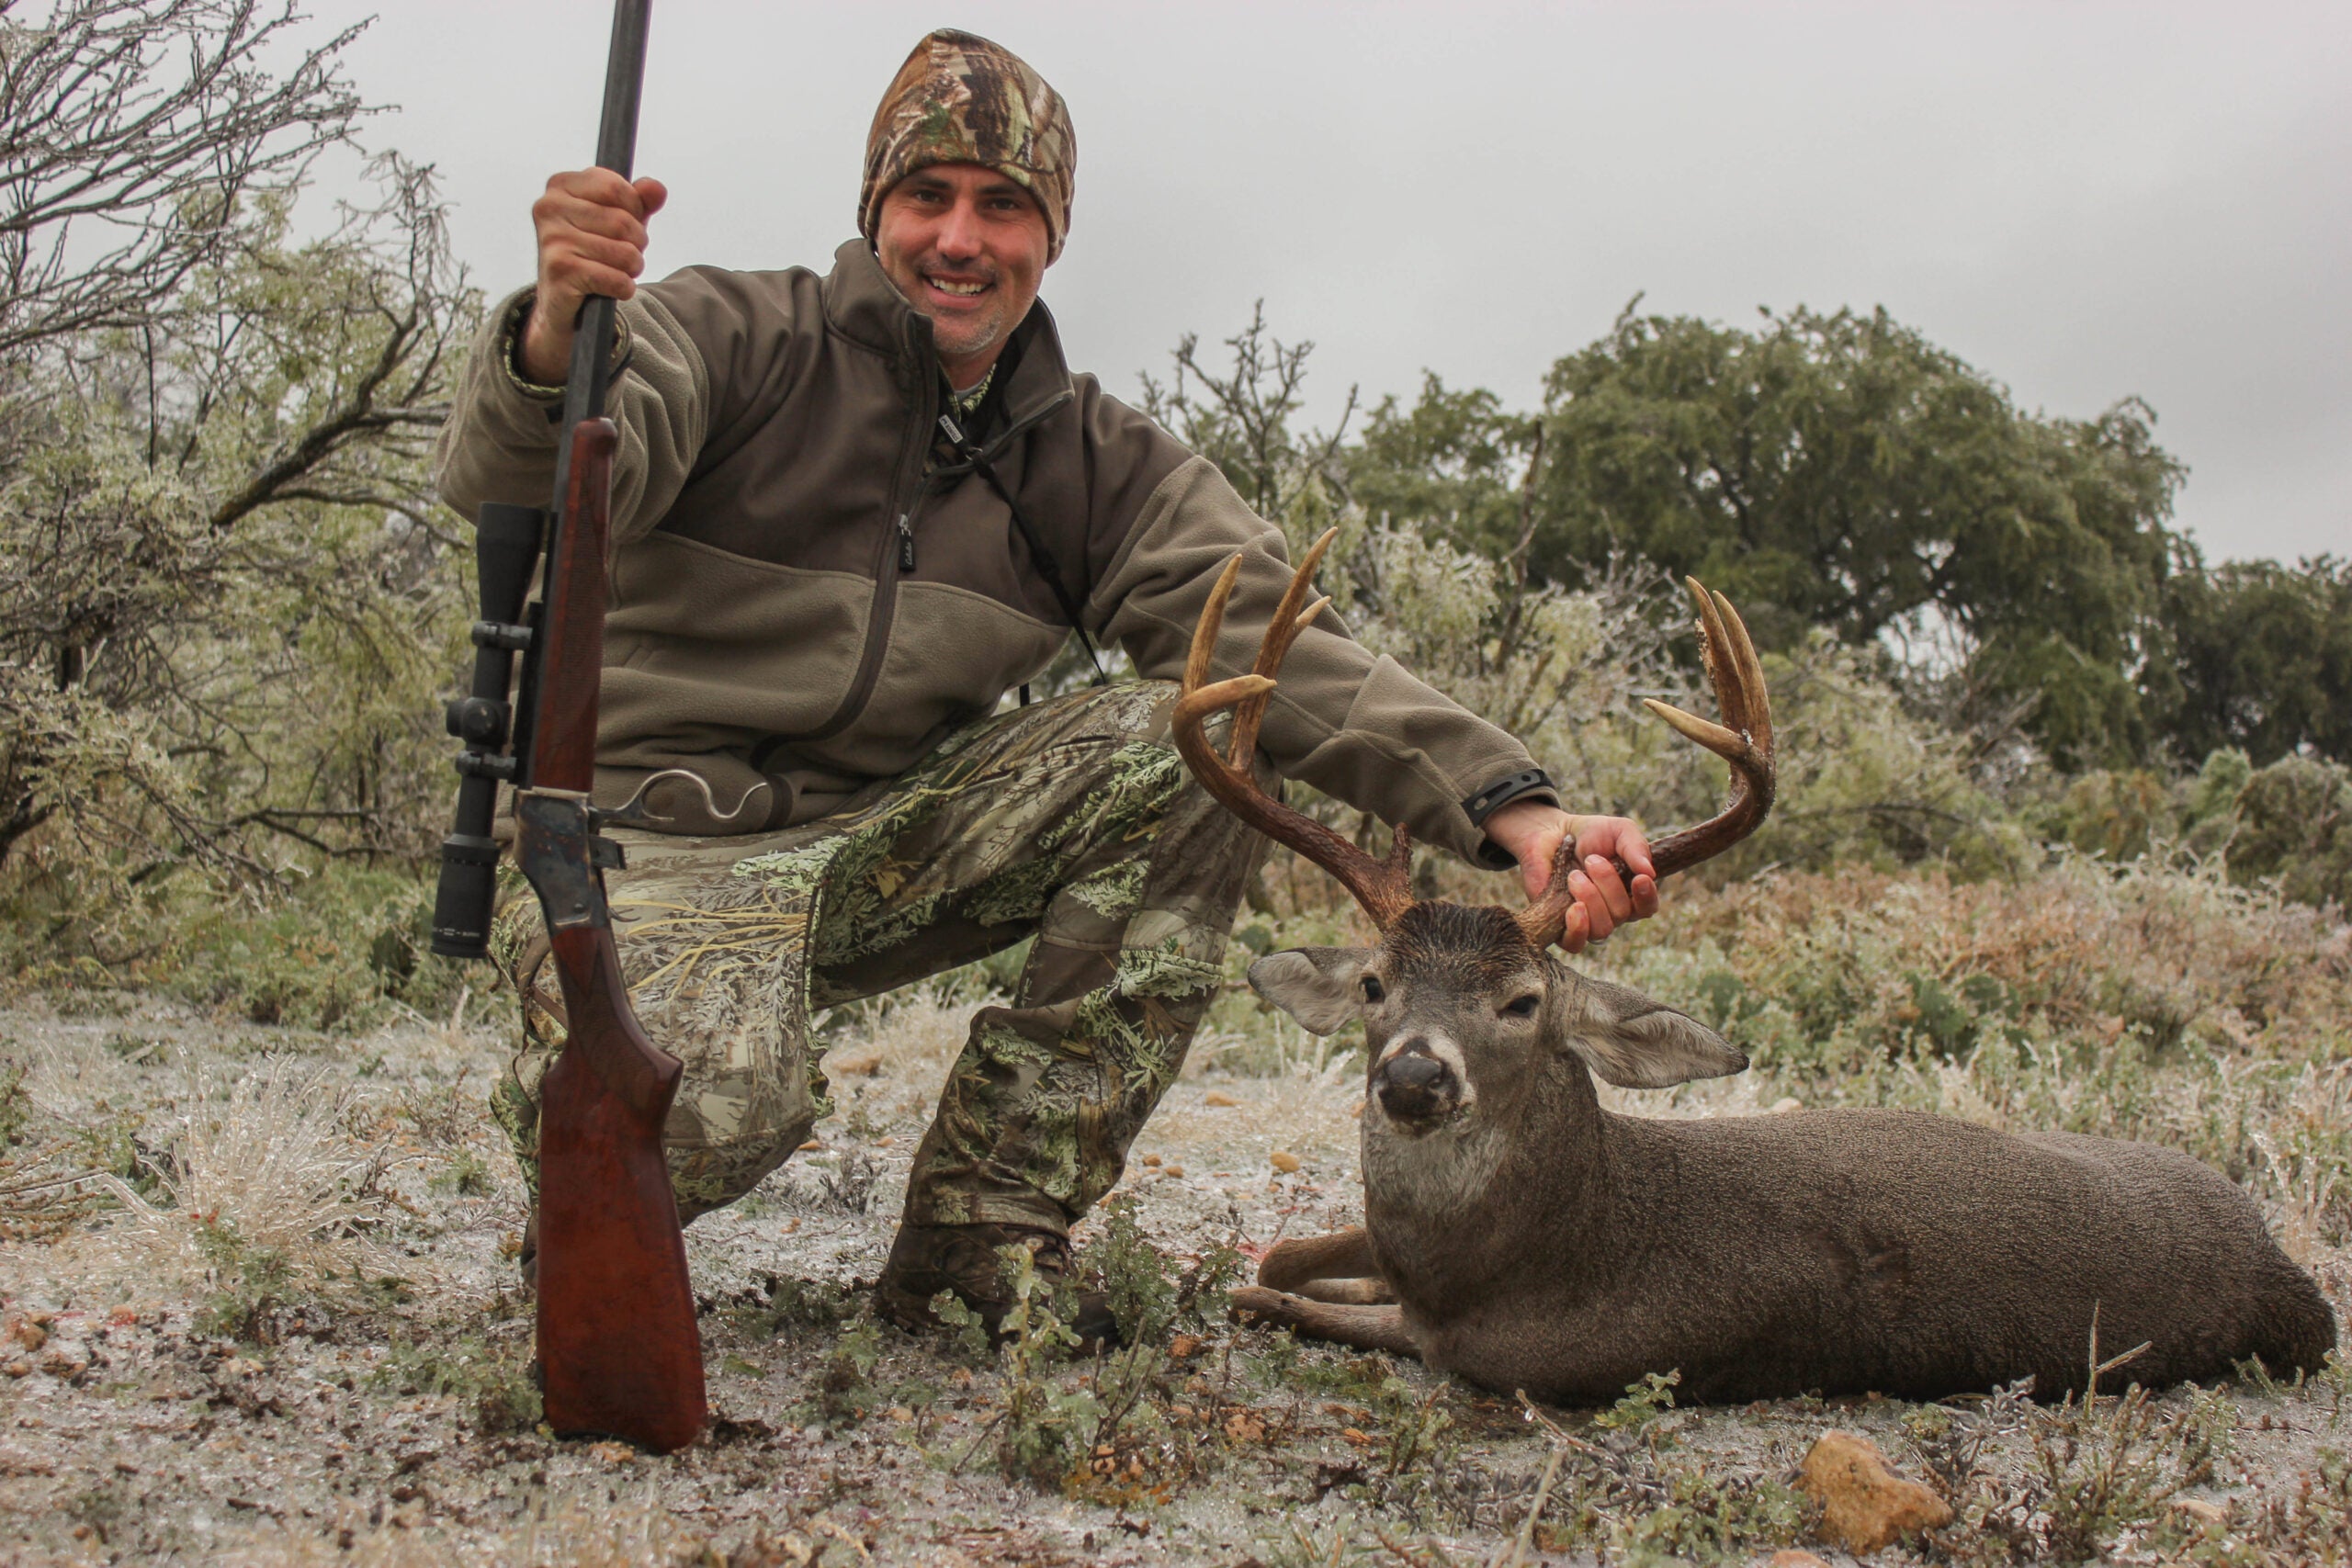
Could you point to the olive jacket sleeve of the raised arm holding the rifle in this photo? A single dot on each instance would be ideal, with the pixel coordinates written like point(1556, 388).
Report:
point(502, 431)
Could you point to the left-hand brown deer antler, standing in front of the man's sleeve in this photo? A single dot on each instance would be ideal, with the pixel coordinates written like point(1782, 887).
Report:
point(1384, 887)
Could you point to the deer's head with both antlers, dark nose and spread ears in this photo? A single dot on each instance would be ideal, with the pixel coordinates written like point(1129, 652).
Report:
point(1471, 1003)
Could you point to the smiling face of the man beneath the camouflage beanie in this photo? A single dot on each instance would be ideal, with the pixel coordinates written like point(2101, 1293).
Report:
point(968, 248)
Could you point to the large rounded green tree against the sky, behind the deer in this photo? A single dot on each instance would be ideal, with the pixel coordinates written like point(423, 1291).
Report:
point(1843, 471)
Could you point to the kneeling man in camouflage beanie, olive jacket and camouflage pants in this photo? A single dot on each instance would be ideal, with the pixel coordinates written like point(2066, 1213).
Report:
point(850, 516)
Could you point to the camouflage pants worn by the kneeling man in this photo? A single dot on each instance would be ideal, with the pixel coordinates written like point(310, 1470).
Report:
point(1071, 822)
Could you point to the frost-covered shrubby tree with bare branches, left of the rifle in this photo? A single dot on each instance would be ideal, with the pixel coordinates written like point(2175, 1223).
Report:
point(227, 601)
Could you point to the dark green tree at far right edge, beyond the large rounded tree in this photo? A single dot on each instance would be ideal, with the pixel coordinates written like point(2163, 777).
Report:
point(2254, 657)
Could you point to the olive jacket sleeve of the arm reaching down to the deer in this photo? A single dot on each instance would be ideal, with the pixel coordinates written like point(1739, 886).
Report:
point(1344, 721)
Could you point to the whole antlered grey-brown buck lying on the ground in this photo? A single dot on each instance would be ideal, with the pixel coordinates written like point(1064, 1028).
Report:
point(1528, 1240)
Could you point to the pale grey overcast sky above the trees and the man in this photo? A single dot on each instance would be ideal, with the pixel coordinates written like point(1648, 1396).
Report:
point(2085, 201)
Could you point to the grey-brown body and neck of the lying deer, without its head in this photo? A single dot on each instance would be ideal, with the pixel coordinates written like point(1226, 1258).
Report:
point(1568, 1252)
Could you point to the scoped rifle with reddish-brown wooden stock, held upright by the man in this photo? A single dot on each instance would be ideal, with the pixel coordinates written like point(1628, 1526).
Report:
point(617, 1346)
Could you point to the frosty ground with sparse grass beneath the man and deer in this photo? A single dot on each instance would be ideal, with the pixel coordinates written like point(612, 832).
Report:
point(279, 1322)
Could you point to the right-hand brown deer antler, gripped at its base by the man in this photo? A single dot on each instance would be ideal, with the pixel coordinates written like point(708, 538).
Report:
point(1744, 739)
